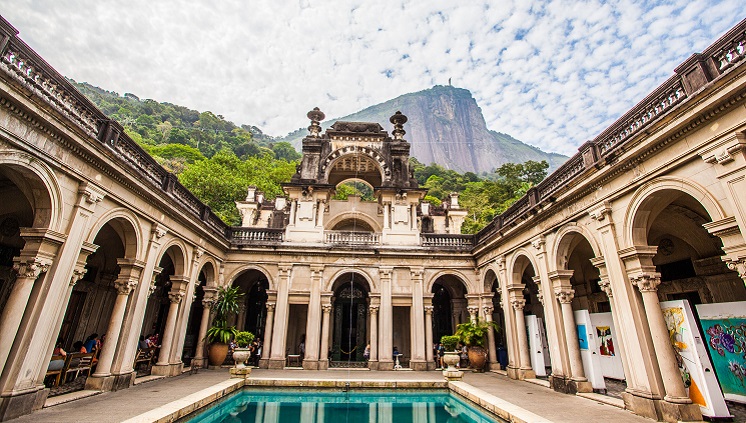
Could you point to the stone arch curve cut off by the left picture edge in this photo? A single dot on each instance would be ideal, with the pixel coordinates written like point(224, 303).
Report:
point(40, 186)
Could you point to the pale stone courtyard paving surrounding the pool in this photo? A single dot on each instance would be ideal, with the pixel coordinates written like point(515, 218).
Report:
point(158, 395)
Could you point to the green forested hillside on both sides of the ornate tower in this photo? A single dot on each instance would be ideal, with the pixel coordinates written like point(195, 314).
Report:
point(217, 160)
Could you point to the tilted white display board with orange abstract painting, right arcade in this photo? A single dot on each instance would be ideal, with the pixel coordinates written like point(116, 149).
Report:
point(694, 364)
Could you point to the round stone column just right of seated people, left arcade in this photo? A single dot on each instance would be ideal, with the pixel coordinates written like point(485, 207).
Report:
point(101, 380)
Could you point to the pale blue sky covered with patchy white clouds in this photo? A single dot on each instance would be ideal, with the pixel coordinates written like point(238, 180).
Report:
point(552, 73)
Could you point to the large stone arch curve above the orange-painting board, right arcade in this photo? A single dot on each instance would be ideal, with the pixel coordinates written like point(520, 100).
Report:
point(651, 198)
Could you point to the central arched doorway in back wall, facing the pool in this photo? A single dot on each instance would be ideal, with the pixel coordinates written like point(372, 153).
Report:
point(350, 335)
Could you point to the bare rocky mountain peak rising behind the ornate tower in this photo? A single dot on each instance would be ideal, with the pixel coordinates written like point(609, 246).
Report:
point(446, 126)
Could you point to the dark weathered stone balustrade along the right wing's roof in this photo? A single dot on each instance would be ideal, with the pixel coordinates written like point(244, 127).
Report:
point(692, 75)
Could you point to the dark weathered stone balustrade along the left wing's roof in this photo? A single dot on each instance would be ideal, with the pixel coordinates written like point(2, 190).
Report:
point(24, 66)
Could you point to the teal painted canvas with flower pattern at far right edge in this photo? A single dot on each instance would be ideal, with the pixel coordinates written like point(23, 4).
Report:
point(726, 339)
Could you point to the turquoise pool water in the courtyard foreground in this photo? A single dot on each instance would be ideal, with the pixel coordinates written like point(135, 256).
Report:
point(334, 406)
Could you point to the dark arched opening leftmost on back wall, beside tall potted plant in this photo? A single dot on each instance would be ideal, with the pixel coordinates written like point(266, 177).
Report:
point(253, 312)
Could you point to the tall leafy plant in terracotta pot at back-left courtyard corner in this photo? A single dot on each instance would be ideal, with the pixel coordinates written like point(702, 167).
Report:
point(220, 333)
